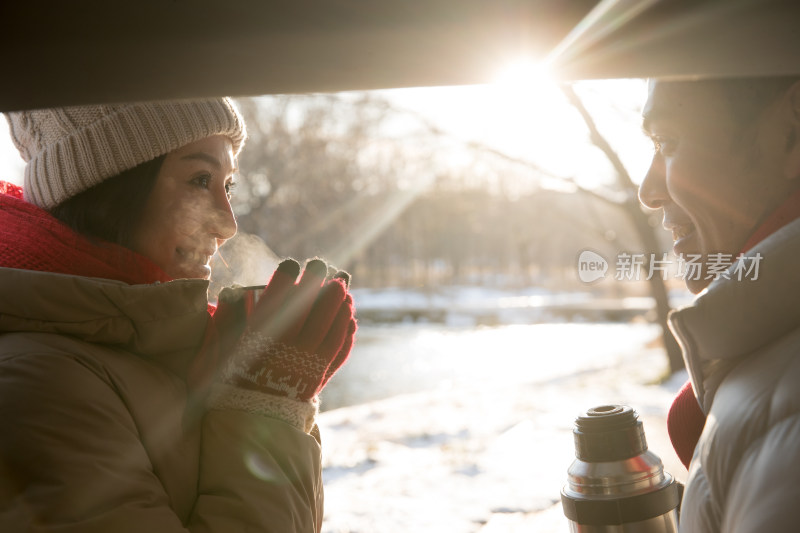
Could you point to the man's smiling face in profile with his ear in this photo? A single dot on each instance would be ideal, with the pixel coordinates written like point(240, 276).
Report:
point(714, 178)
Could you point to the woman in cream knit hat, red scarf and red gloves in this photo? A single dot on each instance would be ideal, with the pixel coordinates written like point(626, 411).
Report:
point(103, 316)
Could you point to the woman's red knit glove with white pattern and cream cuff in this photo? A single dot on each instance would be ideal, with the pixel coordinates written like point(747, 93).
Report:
point(298, 334)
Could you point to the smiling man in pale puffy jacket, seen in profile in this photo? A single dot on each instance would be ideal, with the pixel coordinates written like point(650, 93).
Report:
point(726, 173)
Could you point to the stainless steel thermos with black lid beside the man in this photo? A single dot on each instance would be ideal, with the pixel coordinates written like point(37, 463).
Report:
point(615, 484)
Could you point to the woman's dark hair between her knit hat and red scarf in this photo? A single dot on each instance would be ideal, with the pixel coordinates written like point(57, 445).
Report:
point(111, 211)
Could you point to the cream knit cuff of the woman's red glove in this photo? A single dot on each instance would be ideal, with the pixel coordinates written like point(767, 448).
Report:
point(297, 413)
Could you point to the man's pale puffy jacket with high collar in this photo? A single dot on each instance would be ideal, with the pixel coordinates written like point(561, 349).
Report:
point(741, 342)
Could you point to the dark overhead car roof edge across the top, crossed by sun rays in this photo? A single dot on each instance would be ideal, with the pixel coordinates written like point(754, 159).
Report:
point(92, 51)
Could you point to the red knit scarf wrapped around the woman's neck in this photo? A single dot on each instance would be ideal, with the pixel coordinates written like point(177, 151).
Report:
point(32, 239)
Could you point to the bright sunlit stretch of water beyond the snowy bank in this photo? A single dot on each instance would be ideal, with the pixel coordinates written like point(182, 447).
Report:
point(388, 360)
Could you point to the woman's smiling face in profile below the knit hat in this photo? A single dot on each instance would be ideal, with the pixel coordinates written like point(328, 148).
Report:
point(188, 213)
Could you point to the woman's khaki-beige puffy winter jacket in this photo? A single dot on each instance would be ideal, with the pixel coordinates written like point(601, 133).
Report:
point(98, 434)
